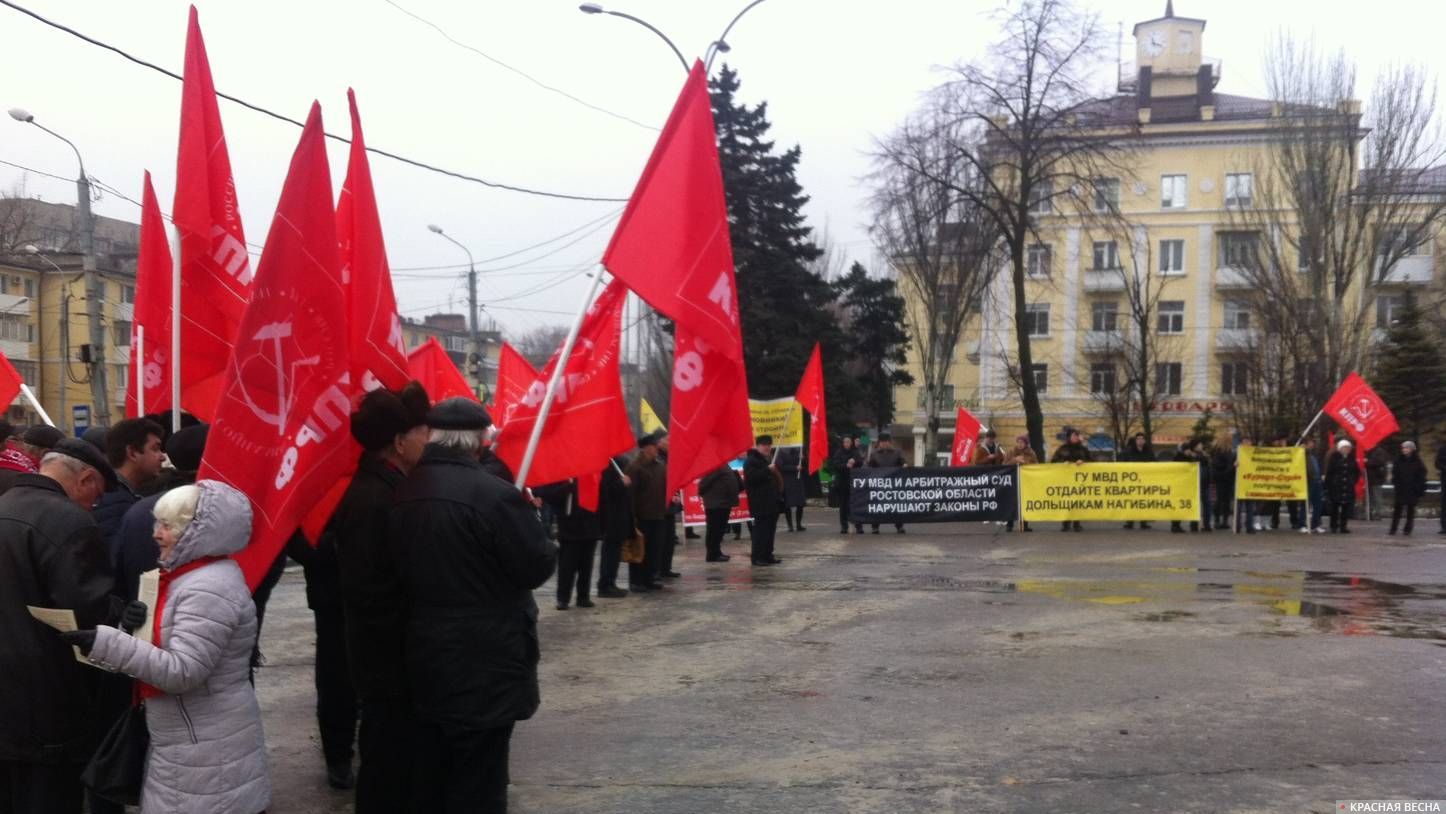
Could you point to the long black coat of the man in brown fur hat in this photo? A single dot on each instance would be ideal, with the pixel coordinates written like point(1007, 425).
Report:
point(368, 580)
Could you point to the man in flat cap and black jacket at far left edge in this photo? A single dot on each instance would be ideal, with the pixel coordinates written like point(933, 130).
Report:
point(51, 556)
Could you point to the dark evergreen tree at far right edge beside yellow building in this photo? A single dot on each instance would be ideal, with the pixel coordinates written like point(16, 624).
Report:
point(1411, 374)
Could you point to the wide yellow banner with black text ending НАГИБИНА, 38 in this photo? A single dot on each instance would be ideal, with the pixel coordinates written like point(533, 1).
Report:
point(1111, 492)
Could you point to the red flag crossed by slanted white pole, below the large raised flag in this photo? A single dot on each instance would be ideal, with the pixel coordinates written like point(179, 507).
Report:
point(588, 423)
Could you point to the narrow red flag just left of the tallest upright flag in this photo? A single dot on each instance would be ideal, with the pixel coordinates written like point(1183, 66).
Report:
point(151, 320)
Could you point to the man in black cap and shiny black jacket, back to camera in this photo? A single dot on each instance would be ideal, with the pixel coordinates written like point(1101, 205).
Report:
point(469, 550)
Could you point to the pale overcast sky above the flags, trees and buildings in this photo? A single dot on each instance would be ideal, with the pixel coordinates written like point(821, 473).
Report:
point(837, 74)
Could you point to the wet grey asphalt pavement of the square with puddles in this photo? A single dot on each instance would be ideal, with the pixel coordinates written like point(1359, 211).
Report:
point(958, 669)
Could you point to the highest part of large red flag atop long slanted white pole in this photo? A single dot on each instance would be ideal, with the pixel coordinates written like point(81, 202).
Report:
point(672, 245)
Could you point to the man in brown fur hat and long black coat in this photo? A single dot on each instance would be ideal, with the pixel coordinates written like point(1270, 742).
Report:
point(393, 432)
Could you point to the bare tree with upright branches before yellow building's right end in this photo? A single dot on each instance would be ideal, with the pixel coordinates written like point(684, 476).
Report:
point(1332, 207)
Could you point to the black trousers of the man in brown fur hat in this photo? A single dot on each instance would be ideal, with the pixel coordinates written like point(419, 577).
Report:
point(388, 745)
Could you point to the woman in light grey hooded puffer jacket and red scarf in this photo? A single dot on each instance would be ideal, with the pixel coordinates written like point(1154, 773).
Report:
point(208, 750)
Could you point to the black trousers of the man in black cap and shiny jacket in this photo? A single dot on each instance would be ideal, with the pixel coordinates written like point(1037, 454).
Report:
point(462, 771)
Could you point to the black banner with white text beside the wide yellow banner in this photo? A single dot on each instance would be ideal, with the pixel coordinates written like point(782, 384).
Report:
point(933, 495)
